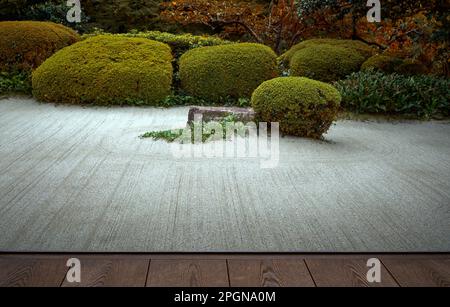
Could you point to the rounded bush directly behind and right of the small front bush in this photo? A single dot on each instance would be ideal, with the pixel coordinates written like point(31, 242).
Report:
point(325, 62)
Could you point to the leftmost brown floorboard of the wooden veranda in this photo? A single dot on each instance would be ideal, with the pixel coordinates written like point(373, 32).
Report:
point(26, 272)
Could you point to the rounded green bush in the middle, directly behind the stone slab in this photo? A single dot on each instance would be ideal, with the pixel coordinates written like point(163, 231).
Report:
point(219, 72)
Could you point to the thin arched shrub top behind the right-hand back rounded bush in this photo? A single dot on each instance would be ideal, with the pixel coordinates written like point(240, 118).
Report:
point(362, 48)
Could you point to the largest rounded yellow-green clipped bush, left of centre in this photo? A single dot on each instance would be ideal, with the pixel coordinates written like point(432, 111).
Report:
point(106, 70)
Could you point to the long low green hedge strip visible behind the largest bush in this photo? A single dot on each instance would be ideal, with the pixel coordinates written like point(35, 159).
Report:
point(180, 43)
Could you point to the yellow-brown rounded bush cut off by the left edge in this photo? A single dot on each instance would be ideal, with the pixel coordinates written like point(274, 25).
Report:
point(24, 45)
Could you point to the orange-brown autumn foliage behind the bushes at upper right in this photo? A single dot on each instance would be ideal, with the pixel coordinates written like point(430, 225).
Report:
point(417, 29)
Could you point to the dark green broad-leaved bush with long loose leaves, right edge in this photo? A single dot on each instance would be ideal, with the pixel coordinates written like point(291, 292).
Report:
point(375, 92)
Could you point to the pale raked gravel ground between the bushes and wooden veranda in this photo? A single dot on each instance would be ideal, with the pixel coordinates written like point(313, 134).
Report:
point(80, 179)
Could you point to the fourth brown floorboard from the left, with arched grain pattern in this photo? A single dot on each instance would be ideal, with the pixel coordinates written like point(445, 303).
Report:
point(269, 273)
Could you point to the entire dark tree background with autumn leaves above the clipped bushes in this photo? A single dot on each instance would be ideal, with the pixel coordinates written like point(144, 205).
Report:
point(410, 29)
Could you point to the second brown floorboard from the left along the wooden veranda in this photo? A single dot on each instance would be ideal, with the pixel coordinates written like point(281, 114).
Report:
point(115, 272)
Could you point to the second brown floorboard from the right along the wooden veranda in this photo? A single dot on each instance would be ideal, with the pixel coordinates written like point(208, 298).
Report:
point(341, 272)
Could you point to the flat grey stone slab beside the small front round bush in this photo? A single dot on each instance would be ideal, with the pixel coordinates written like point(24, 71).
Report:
point(218, 113)
